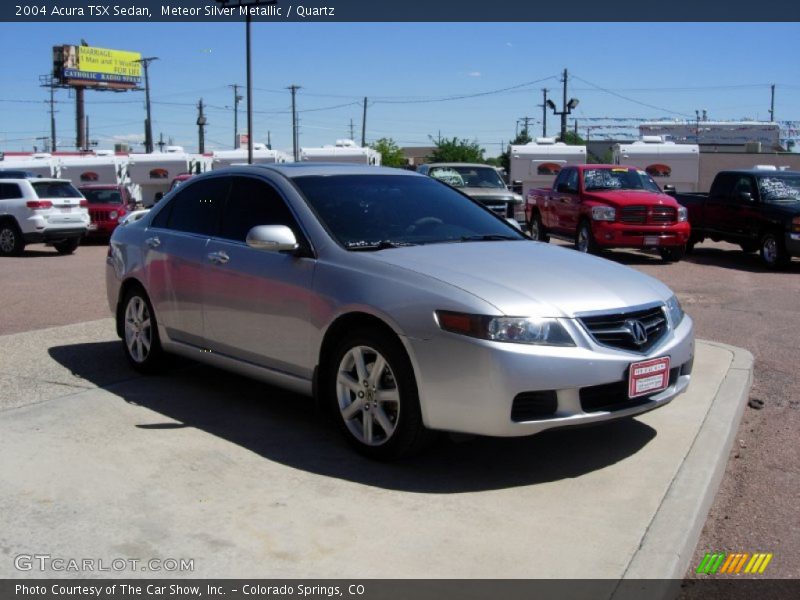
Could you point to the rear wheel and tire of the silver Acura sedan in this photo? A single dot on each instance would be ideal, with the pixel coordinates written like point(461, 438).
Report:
point(139, 328)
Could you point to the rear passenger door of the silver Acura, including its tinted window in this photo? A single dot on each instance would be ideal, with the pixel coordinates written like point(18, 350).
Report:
point(175, 254)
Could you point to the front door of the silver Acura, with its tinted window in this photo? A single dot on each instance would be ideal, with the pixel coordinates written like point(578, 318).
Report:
point(258, 304)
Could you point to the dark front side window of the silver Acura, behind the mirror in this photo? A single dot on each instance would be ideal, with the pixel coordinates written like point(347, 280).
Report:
point(253, 202)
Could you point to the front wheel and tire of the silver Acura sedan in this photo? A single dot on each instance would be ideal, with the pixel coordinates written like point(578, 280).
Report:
point(372, 393)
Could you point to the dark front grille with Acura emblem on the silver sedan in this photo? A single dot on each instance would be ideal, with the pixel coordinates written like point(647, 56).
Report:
point(617, 329)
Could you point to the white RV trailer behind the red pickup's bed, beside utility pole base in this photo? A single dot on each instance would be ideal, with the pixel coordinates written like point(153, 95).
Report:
point(537, 163)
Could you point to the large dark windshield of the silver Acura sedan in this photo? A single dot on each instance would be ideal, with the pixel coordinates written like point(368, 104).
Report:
point(373, 212)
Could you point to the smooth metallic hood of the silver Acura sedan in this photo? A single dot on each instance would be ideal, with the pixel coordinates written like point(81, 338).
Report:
point(526, 278)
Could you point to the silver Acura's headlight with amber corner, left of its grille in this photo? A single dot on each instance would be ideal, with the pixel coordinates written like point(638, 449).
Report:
point(516, 330)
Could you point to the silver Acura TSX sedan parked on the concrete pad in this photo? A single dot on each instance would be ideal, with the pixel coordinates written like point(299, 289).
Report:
point(403, 306)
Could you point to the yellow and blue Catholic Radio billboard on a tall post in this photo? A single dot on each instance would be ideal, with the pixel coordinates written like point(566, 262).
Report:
point(87, 66)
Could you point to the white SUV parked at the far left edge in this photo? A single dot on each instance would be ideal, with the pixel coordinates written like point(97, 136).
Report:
point(41, 210)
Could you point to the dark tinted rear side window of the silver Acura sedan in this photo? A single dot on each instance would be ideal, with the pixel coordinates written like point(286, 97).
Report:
point(196, 208)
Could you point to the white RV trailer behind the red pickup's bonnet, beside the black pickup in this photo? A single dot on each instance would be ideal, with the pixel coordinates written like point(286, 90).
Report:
point(667, 163)
